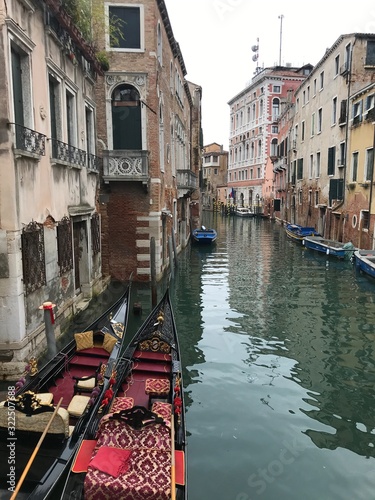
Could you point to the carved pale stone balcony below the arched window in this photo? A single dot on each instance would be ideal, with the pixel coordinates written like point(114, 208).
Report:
point(125, 165)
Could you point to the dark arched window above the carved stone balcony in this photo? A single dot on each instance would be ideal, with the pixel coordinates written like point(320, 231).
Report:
point(126, 118)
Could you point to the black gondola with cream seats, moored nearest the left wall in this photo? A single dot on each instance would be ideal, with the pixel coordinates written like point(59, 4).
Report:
point(43, 420)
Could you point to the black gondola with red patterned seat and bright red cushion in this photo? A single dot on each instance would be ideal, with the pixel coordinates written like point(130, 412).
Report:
point(137, 447)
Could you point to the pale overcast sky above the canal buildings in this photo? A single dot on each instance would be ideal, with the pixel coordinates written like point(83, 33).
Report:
point(216, 37)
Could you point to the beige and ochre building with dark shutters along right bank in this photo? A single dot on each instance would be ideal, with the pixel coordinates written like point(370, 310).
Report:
point(330, 125)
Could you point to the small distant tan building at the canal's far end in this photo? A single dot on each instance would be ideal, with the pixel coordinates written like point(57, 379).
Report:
point(214, 173)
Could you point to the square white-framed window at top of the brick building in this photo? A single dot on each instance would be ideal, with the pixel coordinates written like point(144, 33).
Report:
point(125, 27)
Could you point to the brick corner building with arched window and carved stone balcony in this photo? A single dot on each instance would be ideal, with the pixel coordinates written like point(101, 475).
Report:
point(149, 128)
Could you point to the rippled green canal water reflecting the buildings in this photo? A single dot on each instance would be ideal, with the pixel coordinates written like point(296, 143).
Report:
point(278, 352)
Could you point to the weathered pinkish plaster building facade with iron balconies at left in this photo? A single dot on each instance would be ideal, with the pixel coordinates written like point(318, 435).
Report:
point(49, 176)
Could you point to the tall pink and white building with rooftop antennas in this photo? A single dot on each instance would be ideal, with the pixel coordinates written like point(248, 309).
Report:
point(254, 132)
